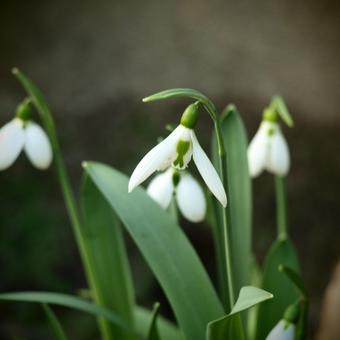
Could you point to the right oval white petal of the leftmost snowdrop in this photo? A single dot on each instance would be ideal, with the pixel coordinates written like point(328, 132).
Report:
point(37, 146)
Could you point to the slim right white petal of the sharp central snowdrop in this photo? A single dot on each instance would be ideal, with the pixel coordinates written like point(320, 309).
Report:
point(207, 171)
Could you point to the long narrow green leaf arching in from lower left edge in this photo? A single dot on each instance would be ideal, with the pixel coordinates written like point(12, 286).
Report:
point(67, 301)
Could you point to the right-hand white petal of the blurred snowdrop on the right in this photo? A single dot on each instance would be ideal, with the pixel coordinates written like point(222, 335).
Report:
point(278, 161)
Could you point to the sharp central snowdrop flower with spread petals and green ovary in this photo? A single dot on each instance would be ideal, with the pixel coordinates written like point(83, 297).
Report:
point(177, 150)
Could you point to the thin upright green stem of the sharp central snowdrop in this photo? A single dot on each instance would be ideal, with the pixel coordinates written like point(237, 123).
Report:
point(226, 223)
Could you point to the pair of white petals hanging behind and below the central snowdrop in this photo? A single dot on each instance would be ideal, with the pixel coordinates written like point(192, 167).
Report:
point(188, 193)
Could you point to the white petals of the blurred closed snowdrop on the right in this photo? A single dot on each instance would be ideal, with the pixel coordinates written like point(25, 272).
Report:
point(268, 151)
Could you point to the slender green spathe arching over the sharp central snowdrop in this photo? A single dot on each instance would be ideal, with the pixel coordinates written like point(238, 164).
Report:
point(184, 92)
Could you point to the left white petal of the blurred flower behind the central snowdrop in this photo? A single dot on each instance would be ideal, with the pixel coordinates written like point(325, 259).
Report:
point(161, 188)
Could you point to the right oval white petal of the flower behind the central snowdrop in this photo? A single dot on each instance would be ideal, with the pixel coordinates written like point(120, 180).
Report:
point(190, 199)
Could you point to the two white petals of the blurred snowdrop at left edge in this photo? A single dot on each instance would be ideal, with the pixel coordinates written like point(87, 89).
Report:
point(18, 135)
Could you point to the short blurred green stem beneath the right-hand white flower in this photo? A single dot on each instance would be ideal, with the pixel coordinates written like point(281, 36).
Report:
point(281, 208)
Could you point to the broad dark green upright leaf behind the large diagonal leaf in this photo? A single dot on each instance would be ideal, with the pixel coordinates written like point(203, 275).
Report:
point(102, 235)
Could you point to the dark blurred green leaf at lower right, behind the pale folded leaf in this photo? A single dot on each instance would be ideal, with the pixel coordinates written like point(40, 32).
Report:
point(269, 314)
